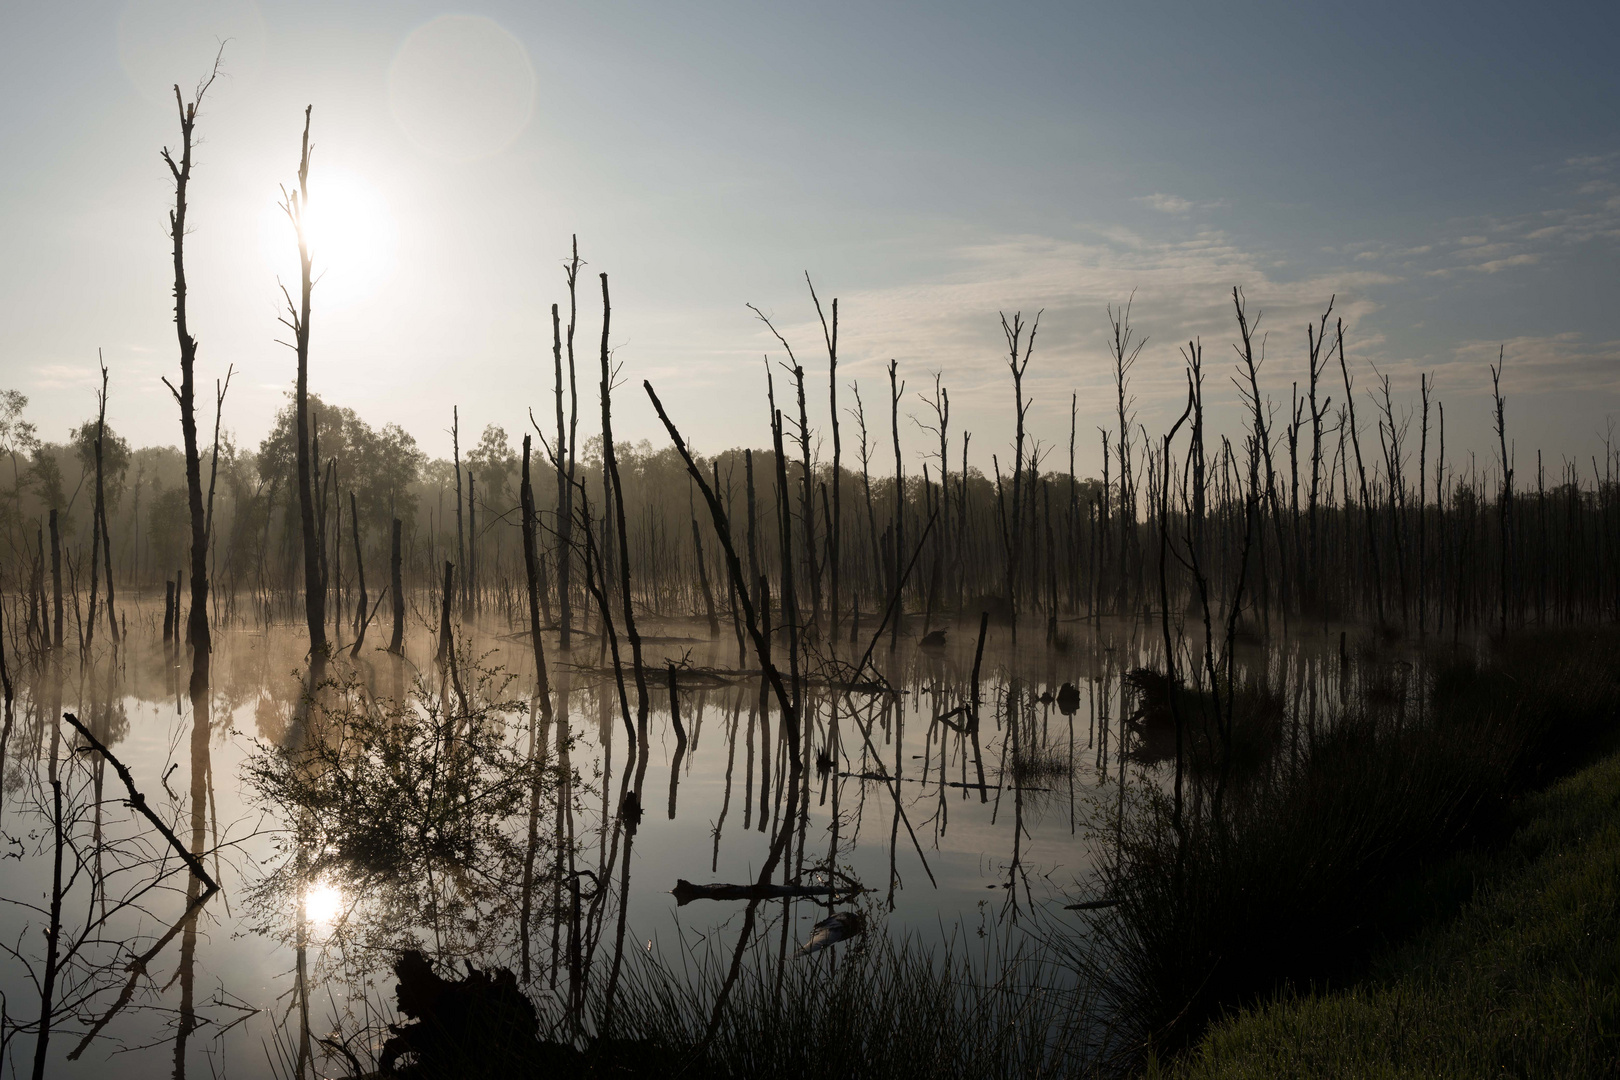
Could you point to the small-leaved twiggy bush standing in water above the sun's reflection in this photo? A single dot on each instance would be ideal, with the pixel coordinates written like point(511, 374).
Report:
point(412, 810)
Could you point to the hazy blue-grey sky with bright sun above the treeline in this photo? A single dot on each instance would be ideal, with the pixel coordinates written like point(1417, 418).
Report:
point(1449, 174)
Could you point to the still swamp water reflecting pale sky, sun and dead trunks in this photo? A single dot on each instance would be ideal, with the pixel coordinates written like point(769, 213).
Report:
point(955, 835)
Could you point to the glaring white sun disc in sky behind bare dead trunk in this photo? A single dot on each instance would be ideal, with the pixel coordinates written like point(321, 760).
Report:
point(351, 232)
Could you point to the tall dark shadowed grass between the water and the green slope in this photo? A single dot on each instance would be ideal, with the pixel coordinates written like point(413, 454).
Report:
point(1307, 872)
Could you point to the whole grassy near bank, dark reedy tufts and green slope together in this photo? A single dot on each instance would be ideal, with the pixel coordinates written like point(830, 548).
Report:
point(1313, 874)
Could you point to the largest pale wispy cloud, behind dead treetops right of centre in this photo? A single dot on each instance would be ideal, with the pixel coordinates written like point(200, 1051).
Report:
point(1179, 291)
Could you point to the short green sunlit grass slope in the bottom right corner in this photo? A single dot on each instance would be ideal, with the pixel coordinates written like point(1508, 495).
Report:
point(1524, 982)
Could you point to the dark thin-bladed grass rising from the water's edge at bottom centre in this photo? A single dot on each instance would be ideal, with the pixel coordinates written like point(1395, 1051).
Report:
point(885, 1008)
